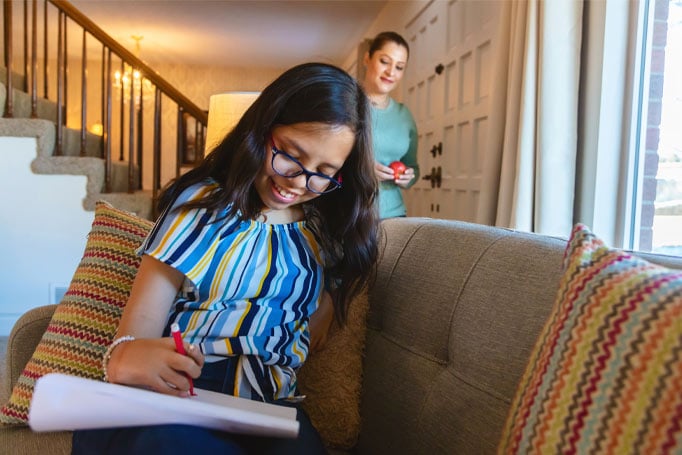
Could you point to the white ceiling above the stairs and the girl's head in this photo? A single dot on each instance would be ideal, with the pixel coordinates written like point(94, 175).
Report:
point(232, 33)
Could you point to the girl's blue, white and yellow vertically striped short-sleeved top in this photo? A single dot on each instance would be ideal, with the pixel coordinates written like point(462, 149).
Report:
point(250, 288)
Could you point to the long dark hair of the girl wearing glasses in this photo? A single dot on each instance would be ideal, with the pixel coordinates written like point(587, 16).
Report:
point(345, 220)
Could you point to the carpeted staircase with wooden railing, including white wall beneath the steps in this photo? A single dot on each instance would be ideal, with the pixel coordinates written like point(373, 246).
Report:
point(55, 93)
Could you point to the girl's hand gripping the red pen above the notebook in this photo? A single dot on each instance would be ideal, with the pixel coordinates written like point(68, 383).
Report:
point(155, 364)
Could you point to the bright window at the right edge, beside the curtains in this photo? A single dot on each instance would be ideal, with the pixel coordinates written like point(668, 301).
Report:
point(660, 204)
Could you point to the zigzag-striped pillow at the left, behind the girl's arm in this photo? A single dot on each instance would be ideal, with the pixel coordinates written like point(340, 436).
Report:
point(86, 319)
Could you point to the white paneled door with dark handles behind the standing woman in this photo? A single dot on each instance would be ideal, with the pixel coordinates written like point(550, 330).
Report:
point(447, 88)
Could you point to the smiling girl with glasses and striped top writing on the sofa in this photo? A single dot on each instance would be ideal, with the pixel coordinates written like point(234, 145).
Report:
point(254, 252)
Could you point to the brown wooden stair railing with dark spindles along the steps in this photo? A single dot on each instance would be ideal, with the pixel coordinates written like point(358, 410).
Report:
point(188, 149)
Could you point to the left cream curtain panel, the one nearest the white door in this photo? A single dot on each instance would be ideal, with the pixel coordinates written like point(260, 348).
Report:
point(530, 163)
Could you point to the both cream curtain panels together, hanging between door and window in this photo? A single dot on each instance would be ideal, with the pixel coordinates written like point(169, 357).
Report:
point(558, 132)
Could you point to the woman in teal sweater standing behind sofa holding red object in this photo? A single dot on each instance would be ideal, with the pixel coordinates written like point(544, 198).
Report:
point(394, 132)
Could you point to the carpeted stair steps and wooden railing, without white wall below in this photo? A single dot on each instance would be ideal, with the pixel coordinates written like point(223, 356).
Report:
point(129, 147)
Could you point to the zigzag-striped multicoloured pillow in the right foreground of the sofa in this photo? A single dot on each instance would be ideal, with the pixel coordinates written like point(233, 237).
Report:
point(605, 375)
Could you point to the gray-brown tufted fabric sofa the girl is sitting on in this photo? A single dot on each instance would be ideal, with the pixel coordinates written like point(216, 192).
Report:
point(454, 314)
